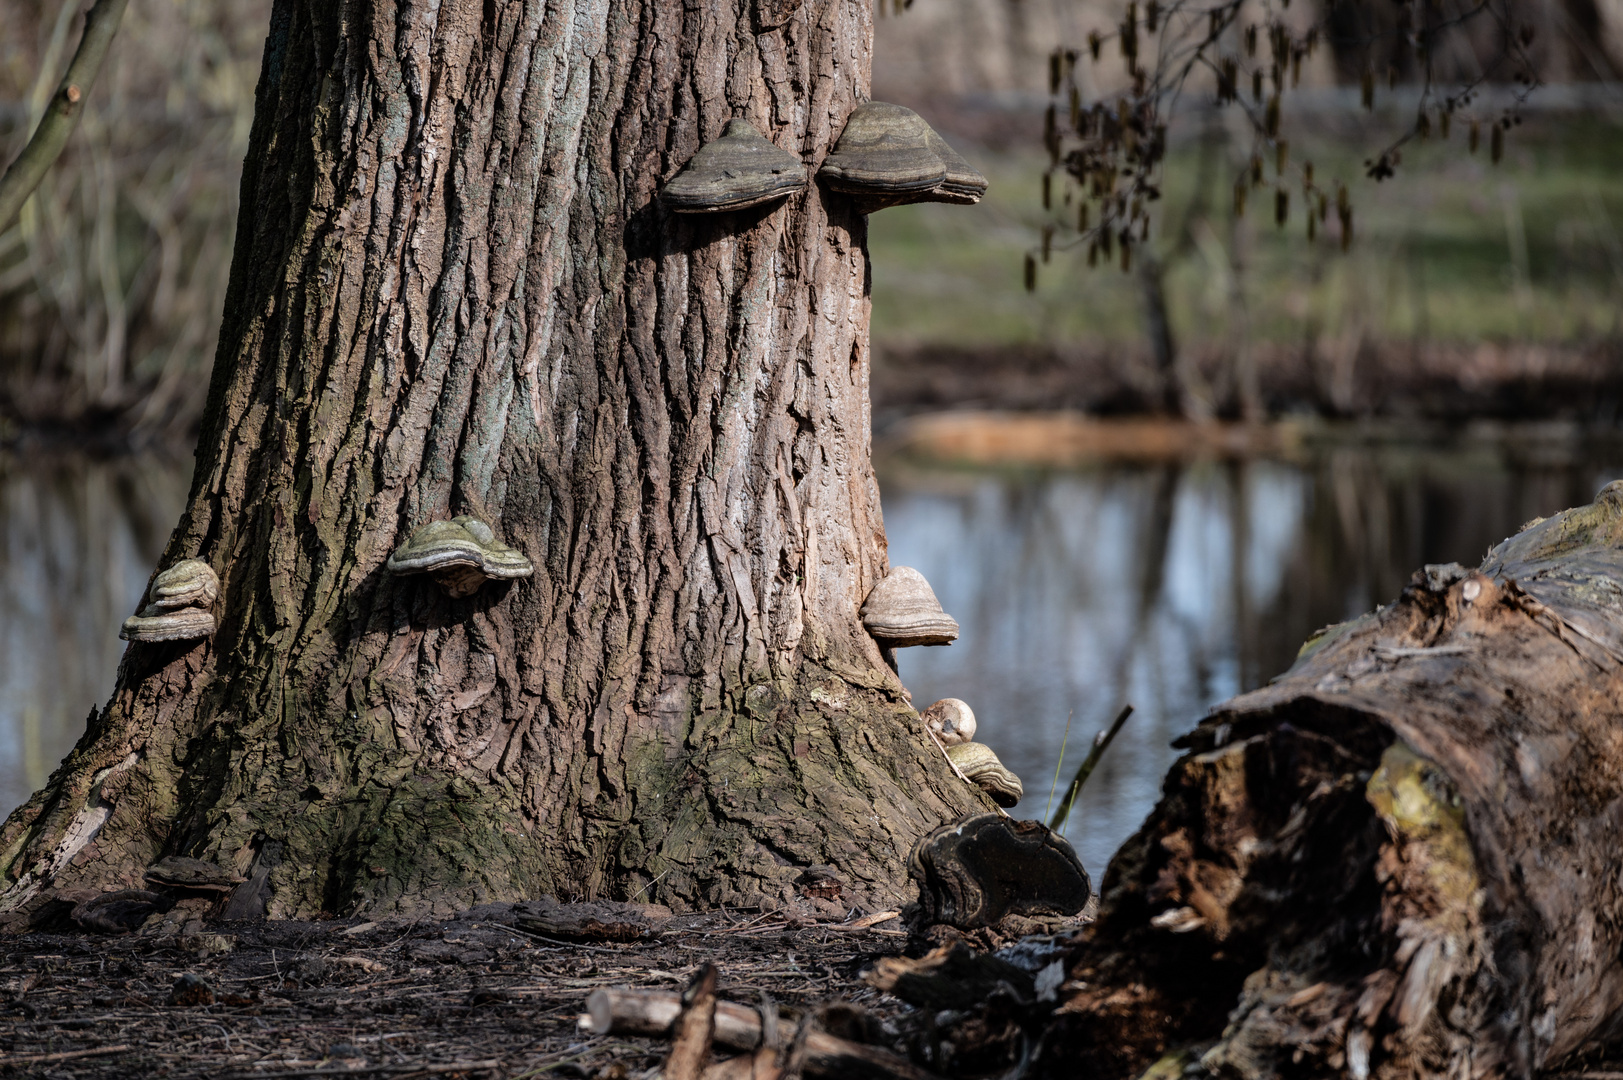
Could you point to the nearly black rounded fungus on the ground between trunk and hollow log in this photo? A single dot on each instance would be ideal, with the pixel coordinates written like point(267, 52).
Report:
point(988, 868)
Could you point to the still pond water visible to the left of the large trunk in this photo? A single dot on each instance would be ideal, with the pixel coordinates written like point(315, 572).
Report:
point(79, 542)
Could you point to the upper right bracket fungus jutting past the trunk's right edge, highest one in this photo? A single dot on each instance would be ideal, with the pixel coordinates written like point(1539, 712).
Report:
point(889, 157)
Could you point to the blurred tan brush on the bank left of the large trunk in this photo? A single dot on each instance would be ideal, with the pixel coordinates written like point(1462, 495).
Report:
point(113, 280)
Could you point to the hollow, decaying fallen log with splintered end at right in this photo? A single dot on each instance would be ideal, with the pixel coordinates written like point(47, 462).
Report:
point(1401, 858)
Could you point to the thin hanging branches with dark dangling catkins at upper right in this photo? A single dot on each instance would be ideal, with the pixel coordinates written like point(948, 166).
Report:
point(1108, 157)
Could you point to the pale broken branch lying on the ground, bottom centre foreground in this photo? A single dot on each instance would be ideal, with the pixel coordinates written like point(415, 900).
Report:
point(739, 1027)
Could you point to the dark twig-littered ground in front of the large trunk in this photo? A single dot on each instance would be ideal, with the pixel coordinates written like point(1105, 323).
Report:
point(471, 996)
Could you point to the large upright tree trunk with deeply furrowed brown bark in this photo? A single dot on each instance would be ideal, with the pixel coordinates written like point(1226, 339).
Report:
point(455, 292)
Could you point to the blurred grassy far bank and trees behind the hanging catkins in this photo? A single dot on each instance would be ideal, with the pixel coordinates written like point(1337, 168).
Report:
point(1474, 290)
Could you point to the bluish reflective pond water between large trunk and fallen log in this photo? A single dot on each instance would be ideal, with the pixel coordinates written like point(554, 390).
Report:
point(1176, 587)
